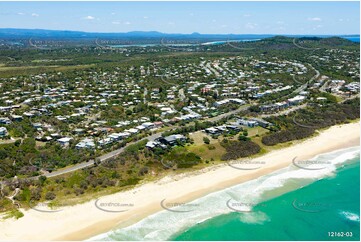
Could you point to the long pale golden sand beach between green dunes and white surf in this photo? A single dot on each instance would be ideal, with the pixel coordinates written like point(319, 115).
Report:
point(91, 218)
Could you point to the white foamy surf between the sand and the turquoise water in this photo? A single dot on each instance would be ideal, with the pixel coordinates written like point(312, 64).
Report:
point(165, 224)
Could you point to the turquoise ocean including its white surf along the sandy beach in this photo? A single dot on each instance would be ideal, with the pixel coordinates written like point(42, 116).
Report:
point(289, 204)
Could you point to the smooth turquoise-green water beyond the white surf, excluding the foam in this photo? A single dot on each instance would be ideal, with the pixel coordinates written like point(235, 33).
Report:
point(327, 205)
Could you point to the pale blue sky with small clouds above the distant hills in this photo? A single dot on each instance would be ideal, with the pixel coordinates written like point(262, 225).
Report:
point(186, 17)
